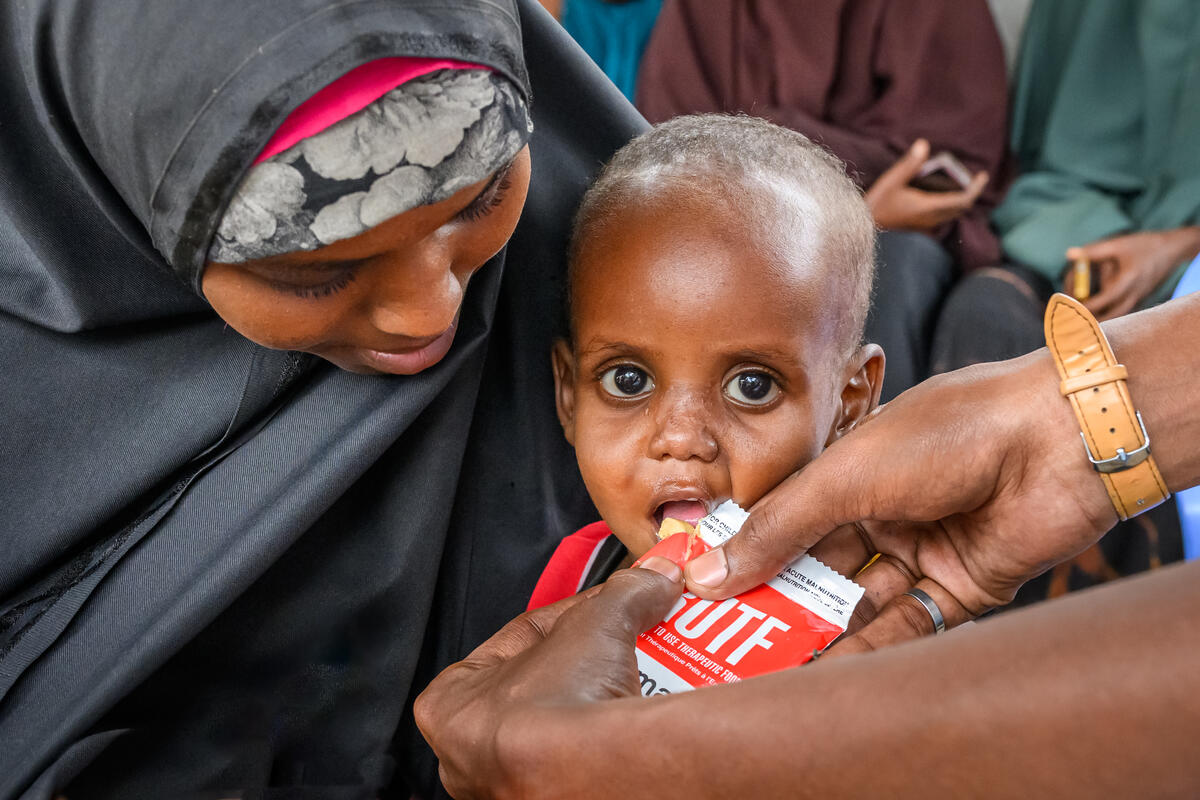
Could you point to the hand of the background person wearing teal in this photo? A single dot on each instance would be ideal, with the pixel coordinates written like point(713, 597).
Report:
point(1133, 266)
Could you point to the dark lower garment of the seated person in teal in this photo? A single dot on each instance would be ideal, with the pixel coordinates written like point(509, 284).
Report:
point(997, 314)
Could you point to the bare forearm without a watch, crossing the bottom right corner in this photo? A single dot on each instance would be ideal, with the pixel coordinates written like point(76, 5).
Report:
point(1089, 695)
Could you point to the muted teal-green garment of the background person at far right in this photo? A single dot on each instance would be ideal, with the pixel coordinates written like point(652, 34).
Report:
point(1106, 128)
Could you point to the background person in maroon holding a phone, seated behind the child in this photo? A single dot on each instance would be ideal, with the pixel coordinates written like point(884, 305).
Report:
point(881, 85)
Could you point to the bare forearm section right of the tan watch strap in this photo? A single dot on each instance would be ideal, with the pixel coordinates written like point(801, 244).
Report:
point(1161, 347)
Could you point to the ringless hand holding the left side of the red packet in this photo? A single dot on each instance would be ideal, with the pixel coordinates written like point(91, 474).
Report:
point(479, 714)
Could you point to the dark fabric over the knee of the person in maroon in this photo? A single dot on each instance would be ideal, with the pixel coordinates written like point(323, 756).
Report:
point(914, 273)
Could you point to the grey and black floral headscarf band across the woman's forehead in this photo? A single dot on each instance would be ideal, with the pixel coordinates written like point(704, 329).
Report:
point(416, 146)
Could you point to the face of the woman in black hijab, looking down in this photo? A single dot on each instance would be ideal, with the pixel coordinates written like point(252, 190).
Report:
point(385, 302)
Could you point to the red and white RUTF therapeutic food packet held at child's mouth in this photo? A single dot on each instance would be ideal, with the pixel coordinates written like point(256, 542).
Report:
point(776, 627)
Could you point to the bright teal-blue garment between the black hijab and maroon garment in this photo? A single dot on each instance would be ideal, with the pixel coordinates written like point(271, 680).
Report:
point(614, 34)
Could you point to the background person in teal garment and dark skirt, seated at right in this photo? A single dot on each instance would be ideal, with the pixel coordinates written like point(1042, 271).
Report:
point(1106, 112)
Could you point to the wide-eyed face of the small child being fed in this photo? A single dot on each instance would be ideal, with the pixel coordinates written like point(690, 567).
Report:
point(704, 369)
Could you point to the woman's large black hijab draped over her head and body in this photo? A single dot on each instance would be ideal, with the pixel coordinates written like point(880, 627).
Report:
point(227, 569)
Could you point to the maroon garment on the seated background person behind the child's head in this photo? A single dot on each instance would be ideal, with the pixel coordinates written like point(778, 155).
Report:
point(863, 77)
